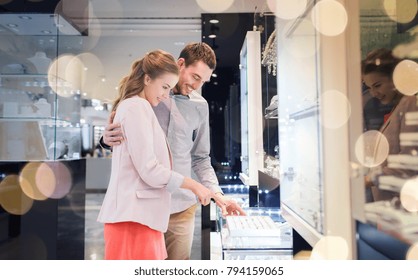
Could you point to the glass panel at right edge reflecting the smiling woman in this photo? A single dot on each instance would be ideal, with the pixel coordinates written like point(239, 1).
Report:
point(389, 74)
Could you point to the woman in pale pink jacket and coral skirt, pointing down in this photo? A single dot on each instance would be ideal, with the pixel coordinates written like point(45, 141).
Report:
point(136, 206)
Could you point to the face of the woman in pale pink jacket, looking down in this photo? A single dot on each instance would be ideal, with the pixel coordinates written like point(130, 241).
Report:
point(158, 89)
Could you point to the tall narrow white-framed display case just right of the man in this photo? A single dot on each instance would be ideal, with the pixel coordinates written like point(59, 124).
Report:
point(259, 148)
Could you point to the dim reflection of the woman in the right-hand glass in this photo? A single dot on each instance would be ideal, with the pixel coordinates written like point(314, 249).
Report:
point(377, 73)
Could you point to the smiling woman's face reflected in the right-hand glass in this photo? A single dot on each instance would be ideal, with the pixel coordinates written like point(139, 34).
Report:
point(380, 86)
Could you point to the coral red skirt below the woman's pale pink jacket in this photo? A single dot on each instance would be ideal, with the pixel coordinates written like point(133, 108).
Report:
point(133, 241)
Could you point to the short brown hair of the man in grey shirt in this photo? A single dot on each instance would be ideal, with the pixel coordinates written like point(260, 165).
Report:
point(194, 52)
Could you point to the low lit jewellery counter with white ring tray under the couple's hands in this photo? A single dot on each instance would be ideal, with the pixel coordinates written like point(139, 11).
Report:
point(260, 242)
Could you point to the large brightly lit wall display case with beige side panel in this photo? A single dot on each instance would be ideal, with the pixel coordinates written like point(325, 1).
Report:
point(314, 114)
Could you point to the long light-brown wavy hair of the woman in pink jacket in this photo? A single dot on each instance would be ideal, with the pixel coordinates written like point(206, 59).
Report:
point(154, 64)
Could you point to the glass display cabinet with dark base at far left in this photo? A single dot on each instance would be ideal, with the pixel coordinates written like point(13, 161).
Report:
point(42, 174)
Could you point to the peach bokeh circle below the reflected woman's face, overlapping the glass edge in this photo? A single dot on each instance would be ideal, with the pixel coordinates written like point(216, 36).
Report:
point(372, 148)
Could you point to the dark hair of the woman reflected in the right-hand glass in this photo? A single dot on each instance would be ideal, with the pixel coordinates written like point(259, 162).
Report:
point(381, 61)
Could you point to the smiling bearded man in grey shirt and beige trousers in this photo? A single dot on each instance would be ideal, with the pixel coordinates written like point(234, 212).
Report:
point(184, 118)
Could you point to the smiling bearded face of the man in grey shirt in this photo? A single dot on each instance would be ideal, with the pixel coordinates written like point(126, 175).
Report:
point(192, 77)
